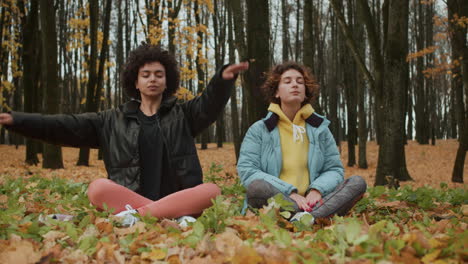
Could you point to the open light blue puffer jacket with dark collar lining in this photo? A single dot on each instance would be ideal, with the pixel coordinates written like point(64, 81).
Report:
point(261, 158)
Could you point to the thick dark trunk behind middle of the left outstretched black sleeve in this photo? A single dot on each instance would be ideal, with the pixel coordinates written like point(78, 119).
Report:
point(52, 154)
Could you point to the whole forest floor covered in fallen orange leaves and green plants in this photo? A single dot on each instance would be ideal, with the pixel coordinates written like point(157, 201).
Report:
point(425, 221)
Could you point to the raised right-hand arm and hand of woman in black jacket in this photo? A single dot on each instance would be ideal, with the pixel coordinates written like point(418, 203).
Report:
point(204, 109)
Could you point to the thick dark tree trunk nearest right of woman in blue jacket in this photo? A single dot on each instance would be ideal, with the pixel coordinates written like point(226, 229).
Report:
point(391, 162)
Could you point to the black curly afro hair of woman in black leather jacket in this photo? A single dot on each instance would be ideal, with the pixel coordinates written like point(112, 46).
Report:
point(142, 55)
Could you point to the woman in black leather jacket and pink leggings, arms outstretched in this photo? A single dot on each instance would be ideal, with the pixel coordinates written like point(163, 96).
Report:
point(147, 143)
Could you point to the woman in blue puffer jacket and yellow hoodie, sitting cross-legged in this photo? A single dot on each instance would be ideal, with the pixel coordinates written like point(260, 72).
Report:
point(293, 153)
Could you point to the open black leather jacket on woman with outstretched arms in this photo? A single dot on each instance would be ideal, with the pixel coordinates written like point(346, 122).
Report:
point(115, 131)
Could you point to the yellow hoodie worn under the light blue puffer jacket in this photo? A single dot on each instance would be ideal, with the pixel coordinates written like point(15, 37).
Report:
point(294, 147)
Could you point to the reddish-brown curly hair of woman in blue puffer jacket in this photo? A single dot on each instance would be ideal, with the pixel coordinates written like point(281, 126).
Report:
point(270, 87)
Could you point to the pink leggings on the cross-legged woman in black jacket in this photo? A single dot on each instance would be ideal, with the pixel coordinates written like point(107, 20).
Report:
point(190, 201)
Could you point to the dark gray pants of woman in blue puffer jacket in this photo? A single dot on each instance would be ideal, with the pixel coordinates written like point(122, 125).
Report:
point(338, 202)
